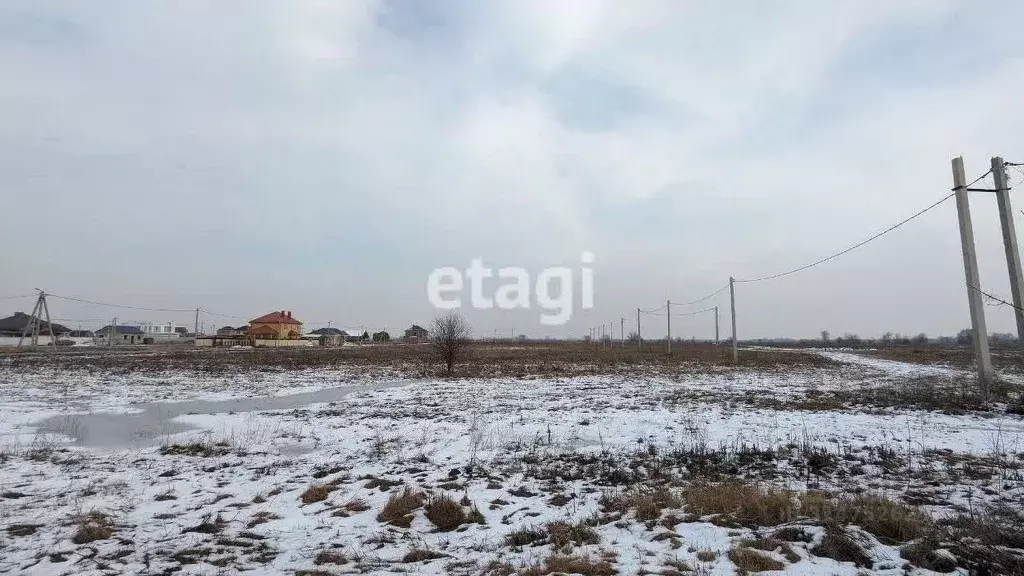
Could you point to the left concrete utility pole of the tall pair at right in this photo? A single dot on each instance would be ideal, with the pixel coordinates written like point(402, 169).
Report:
point(974, 301)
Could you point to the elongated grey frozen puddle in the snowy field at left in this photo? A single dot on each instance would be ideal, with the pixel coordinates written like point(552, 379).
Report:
point(149, 424)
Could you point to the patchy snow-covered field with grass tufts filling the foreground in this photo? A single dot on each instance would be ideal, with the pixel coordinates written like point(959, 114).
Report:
point(595, 475)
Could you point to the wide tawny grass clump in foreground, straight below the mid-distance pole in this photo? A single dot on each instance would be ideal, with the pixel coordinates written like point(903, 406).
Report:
point(744, 505)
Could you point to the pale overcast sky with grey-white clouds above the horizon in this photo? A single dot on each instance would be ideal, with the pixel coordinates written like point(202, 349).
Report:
point(325, 157)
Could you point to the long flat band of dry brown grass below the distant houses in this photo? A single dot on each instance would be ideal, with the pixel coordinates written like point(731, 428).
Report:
point(501, 359)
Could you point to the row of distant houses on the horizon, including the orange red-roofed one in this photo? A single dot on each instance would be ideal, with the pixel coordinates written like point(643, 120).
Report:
point(278, 328)
